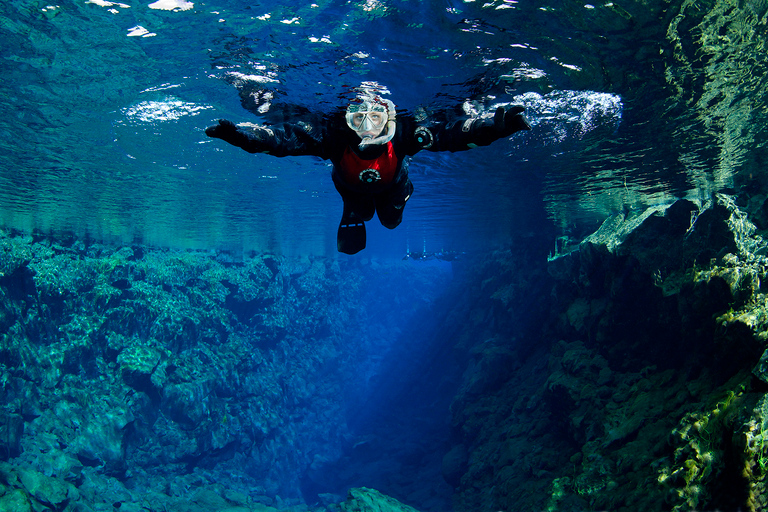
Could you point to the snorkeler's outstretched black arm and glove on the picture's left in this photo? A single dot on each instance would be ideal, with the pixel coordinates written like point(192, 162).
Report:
point(287, 139)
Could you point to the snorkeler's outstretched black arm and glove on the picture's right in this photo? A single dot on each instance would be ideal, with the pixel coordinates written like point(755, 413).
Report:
point(469, 132)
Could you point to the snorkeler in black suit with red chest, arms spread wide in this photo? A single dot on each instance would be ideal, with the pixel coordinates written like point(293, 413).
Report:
point(369, 145)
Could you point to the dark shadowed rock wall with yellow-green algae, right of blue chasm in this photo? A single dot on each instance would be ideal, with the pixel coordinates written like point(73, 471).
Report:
point(640, 383)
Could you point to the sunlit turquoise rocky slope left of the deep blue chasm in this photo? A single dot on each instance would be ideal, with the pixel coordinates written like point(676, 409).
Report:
point(137, 377)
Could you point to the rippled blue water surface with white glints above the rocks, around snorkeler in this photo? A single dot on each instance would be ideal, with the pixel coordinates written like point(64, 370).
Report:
point(104, 106)
